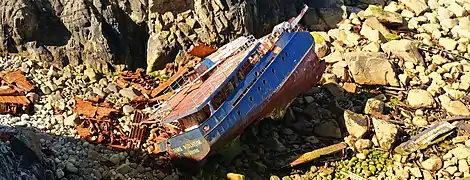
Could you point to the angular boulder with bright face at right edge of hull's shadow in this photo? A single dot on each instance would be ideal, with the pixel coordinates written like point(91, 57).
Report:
point(356, 124)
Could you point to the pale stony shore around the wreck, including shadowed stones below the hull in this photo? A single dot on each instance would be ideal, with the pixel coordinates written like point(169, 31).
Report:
point(393, 72)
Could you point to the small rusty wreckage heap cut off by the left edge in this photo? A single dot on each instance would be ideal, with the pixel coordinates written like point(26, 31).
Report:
point(14, 89)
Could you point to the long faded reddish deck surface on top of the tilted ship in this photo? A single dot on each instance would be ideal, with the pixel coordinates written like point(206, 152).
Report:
point(194, 97)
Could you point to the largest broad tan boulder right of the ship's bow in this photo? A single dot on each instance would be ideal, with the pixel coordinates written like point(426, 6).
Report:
point(371, 68)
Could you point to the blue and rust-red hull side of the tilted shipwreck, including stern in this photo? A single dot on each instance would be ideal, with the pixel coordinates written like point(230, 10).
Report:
point(273, 82)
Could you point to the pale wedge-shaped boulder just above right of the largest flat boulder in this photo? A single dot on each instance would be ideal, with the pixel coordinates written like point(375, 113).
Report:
point(405, 49)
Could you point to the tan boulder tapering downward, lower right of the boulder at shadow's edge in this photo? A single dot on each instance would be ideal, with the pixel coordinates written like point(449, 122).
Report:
point(385, 132)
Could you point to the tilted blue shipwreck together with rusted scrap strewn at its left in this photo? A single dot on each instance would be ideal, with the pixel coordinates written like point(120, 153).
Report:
point(199, 110)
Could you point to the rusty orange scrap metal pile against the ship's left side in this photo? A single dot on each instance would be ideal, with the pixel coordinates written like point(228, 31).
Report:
point(98, 119)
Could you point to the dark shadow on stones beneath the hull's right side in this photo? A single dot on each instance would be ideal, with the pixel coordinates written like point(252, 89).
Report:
point(314, 120)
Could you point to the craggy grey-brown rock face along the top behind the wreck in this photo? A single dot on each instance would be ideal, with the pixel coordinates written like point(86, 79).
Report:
point(128, 34)
